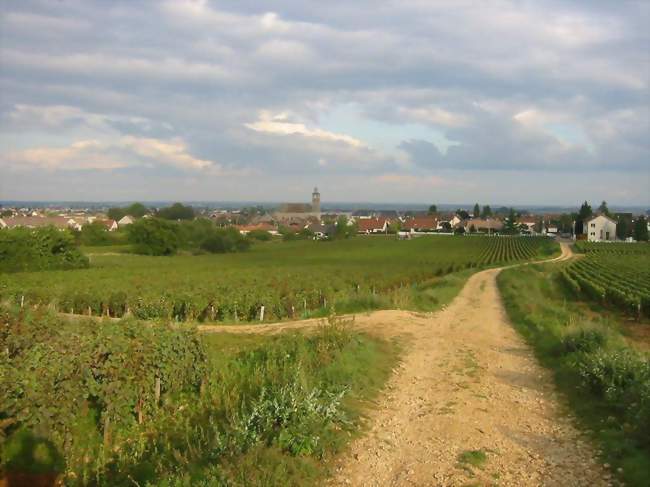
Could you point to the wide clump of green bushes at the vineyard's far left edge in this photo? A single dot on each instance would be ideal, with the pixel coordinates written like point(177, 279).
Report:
point(25, 249)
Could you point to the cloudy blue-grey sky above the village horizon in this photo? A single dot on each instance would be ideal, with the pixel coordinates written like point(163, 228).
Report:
point(412, 101)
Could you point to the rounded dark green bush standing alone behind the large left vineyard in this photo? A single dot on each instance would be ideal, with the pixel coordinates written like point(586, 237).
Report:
point(152, 236)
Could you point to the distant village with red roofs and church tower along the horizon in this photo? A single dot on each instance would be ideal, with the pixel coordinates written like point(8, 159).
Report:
point(309, 219)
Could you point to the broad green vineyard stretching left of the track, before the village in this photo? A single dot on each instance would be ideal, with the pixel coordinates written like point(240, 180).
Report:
point(274, 281)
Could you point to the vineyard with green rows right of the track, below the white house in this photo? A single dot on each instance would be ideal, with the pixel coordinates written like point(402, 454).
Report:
point(614, 274)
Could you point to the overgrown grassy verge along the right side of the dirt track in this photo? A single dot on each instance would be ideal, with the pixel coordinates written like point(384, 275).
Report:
point(605, 380)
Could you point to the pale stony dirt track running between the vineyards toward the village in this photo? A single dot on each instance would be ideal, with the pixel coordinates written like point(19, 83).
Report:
point(467, 382)
